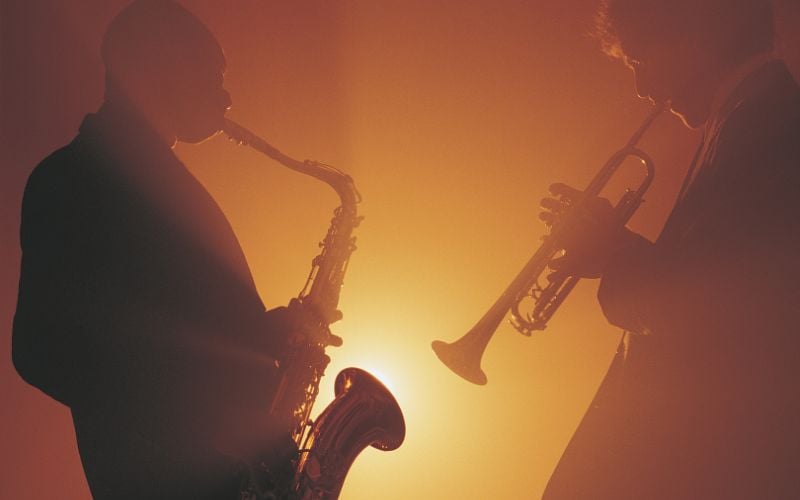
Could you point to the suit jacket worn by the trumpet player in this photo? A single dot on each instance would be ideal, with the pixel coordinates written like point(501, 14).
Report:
point(705, 402)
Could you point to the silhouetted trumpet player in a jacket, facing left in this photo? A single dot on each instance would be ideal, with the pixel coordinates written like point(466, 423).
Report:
point(702, 401)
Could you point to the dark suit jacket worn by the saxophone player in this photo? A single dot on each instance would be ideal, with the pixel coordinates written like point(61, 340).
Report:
point(137, 309)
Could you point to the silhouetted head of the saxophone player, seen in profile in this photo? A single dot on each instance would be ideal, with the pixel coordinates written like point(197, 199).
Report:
point(163, 60)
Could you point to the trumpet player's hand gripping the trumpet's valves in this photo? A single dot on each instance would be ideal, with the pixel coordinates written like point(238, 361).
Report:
point(589, 234)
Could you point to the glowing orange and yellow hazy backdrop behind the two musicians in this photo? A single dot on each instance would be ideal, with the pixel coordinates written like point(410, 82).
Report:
point(453, 117)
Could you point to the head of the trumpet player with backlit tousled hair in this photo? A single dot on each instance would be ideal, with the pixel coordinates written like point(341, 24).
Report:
point(683, 49)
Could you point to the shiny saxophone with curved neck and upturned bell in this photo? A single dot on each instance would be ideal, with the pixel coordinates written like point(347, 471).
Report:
point(364, 412)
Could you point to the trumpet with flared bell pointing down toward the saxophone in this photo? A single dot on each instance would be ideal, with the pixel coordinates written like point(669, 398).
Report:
point(464, 355)
